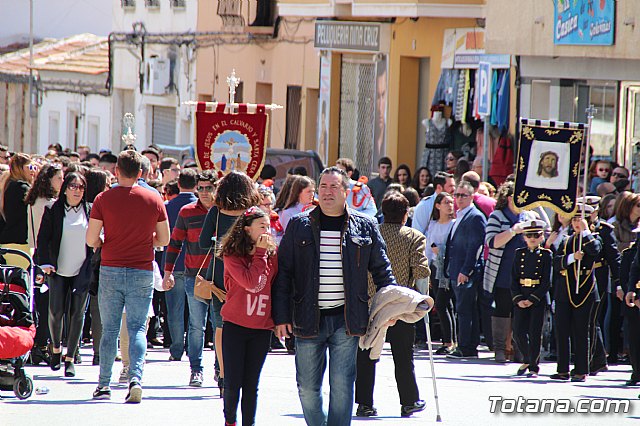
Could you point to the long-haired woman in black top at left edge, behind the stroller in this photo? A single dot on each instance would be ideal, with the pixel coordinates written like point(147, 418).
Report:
point(13, 223)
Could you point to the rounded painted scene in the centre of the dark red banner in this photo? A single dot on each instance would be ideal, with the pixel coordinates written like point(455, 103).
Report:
point(231, 151)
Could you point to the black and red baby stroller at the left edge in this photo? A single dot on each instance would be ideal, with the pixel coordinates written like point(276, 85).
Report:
point(17, 325)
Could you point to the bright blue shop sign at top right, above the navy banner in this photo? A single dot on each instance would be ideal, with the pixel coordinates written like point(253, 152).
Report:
point(585, 22)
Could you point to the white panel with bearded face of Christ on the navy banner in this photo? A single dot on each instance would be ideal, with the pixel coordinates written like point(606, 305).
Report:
point(548, 165)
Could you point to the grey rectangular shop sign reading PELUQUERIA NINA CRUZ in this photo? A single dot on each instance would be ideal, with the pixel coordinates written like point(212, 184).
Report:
point(341, 35)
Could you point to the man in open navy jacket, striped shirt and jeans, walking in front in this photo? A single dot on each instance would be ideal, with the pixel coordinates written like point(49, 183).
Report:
point(321, 294)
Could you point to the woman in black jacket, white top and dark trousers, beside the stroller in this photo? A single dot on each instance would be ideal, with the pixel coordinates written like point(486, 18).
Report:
point(64, 255)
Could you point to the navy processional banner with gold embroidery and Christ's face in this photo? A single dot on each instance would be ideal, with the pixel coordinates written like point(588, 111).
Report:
point(549, 164)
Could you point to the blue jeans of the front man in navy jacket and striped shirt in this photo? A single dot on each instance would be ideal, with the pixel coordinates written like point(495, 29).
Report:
point(311, 362)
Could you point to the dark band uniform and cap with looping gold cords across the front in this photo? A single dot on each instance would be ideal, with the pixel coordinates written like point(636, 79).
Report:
point(573, 309)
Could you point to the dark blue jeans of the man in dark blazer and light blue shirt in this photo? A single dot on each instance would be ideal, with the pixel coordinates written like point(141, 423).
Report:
point(468, 321)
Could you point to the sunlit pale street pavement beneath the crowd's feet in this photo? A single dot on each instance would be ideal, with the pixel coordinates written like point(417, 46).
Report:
point(464, 388)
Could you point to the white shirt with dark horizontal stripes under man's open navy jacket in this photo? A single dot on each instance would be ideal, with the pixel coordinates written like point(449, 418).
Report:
point(331, 292)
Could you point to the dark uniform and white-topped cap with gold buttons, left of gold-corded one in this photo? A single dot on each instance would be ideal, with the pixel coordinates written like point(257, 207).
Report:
point(530, 280)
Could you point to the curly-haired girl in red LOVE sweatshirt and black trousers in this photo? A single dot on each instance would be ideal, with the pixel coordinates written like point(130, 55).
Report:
point(250, 265)
